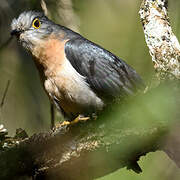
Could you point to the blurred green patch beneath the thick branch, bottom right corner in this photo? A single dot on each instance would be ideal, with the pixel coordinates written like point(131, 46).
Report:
point(156, 166)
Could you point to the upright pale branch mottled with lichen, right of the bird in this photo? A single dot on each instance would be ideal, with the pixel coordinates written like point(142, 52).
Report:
point(161, 41)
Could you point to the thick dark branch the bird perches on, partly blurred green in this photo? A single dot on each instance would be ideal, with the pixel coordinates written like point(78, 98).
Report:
point(94, 148)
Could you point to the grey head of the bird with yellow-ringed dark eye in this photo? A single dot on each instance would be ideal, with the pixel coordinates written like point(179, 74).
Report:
point(31, 28)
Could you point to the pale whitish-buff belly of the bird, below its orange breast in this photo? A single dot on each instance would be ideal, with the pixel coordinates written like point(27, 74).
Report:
point(71, 91)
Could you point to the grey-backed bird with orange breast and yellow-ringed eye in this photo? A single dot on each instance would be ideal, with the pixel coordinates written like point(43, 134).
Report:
point(79, 76)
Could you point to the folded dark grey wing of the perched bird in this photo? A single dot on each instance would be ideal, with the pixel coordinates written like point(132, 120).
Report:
point(105, 73)
